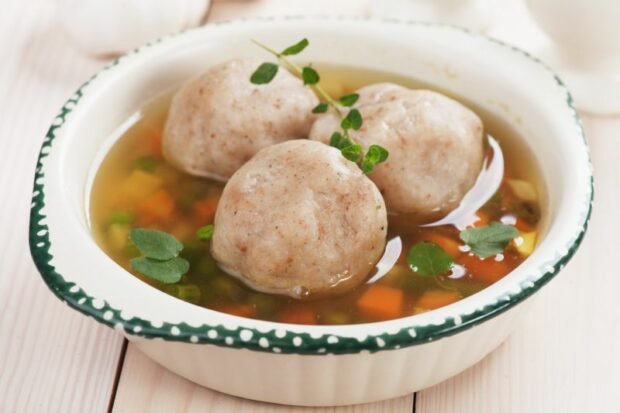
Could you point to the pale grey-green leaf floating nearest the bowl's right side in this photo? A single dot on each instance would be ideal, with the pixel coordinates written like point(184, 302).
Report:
point(489, 240)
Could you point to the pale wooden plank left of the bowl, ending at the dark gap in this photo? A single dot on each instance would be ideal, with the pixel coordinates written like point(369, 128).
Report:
point(52, 359)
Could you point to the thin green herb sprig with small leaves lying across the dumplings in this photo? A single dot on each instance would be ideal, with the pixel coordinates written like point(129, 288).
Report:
point(349, 116)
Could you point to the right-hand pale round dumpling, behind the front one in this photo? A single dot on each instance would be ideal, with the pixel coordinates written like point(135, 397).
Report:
point(435, 144)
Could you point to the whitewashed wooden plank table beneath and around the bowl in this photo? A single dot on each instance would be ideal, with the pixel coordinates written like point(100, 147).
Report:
point(563, 358)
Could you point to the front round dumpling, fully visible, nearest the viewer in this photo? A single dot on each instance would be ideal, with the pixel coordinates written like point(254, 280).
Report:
point(299, 219)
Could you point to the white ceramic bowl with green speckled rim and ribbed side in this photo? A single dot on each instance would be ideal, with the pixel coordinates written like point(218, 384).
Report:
point(296, 364)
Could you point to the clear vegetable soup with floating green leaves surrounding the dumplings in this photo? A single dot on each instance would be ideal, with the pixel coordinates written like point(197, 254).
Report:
point(429, 261)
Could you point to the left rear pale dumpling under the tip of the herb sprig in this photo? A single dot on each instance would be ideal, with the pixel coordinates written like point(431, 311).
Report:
point(219, 120)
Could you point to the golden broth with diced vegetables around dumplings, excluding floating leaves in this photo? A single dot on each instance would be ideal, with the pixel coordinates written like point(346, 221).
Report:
point(135, 187)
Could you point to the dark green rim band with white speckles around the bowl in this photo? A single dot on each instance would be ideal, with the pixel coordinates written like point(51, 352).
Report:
point(277, 340)
